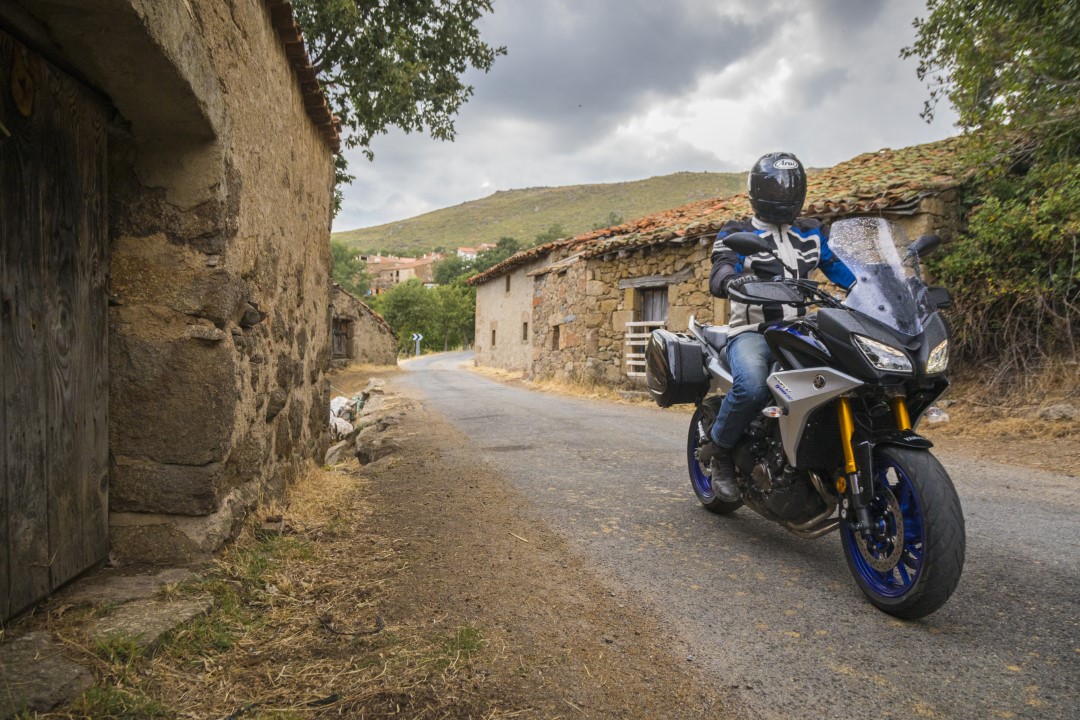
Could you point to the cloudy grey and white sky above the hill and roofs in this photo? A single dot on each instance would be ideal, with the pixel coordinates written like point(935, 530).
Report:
point(606, 91)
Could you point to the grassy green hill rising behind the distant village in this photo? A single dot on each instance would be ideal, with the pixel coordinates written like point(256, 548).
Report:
point(525, 214)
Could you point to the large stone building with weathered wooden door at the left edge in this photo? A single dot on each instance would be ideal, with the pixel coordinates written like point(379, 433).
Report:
point(166, 185)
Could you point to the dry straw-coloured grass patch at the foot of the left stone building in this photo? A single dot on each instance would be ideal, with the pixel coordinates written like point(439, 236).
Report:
point(296, 630)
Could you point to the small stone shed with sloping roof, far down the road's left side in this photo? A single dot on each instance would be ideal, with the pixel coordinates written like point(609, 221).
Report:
point(360, 334)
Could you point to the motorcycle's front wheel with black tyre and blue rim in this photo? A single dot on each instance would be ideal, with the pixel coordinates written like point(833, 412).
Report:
point(913, 563)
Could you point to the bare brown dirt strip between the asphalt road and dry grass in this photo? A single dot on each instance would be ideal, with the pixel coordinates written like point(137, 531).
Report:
point(558, 643)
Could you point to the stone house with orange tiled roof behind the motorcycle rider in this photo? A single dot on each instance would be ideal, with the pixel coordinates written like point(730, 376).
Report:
point(583, 308)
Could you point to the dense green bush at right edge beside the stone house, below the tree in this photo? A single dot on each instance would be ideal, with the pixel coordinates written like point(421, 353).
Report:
point(1016, 273)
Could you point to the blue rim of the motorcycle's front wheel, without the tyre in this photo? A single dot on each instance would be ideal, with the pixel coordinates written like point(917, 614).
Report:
point(902, 577)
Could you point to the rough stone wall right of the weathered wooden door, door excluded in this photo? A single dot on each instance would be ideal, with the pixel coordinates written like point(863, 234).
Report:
point(220, 196)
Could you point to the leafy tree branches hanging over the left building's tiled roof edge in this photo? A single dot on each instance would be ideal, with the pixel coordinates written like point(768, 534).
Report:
point(386, 63)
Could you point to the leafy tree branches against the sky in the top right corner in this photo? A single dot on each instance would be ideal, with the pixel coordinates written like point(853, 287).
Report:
point(1006, 66)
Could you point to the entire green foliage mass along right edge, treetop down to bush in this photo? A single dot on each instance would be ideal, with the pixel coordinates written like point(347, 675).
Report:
point(1011, 69)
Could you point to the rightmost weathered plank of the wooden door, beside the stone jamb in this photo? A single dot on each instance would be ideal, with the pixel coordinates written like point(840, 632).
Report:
point(73, 234)
